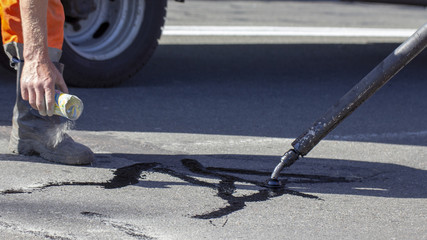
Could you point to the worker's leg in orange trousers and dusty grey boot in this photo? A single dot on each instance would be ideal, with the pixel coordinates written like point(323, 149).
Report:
point(31, 132)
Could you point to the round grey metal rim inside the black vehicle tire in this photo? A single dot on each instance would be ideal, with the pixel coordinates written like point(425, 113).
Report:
point(101, 30)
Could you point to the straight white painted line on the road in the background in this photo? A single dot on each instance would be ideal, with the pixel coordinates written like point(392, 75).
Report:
point(286, 31)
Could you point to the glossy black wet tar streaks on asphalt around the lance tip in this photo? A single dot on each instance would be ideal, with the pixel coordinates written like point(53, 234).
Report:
point(225, 188)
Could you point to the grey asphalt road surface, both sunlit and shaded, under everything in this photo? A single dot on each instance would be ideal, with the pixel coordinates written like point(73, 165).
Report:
point(184, 148)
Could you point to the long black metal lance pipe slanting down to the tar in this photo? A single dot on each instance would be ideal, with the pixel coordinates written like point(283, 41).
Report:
point(371, 83)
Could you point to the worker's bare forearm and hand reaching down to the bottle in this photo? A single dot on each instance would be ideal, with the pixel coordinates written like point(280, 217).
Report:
point(39, 75)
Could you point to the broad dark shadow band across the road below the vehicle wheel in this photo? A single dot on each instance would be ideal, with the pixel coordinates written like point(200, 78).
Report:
point(273, 90)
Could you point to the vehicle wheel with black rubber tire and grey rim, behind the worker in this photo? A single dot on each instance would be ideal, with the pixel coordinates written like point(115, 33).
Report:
point(113, 43)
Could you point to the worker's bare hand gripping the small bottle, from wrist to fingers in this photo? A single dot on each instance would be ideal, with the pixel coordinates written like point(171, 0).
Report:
point(38, 81)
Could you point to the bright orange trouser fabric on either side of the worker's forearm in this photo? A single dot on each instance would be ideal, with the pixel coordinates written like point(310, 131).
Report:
point(11, 29)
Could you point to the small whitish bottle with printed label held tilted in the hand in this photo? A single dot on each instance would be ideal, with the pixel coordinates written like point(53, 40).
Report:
point(68, 106)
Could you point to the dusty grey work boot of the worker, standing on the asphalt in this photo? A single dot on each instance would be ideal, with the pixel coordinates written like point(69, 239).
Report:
point(33, 134)
